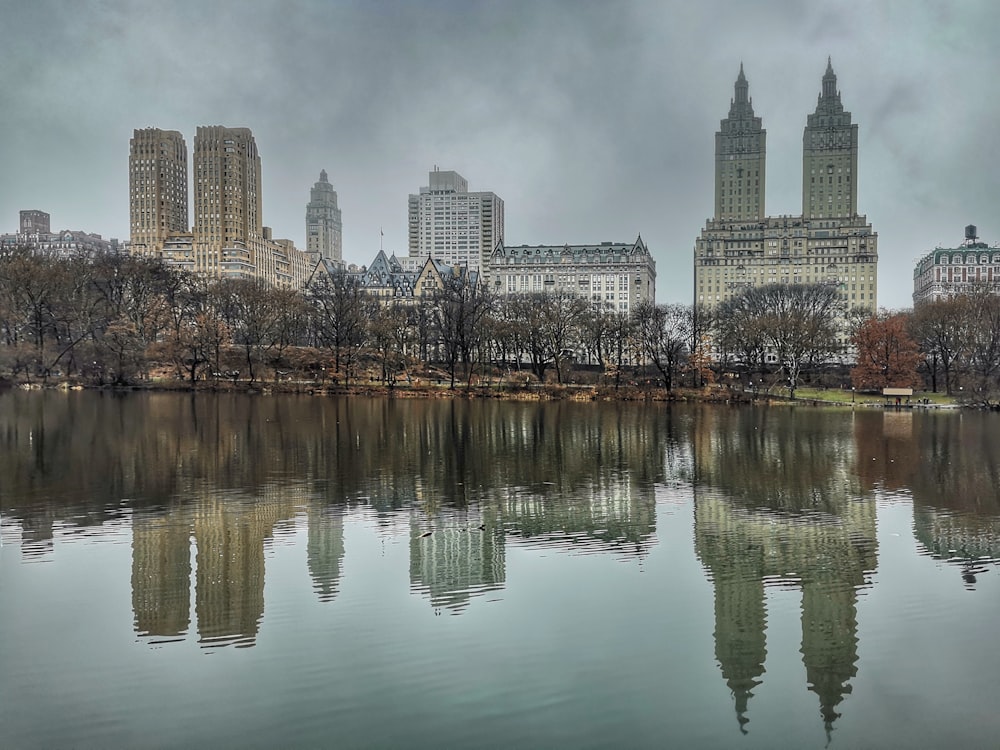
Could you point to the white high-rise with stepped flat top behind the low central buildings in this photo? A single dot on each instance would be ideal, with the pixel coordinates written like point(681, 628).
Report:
point(448, 223)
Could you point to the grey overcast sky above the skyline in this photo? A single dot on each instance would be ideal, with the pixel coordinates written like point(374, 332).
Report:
point(591, 120)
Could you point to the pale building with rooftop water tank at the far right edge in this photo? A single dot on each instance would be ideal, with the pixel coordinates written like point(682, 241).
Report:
point(948, 272)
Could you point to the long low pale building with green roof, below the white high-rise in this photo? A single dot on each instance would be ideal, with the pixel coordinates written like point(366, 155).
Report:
point(618, 275)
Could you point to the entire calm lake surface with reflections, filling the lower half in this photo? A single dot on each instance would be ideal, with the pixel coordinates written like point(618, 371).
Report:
point(226, 571)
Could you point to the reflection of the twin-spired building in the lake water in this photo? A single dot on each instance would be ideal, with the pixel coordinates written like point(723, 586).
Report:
point(777, 502)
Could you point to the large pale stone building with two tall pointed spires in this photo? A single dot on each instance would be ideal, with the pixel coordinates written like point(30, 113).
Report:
point(830, 242)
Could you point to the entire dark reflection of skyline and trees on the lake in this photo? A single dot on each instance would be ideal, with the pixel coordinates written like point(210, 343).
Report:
point(780, 498)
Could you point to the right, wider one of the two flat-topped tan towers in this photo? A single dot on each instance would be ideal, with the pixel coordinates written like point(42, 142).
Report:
point(227, 199)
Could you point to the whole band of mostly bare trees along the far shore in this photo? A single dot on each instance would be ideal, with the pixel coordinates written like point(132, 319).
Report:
point(118, 319)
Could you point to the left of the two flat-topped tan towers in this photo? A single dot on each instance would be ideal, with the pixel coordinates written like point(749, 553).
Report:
point(158, 197)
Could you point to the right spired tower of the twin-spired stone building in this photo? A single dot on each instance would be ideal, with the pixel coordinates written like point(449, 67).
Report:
point(829, 156)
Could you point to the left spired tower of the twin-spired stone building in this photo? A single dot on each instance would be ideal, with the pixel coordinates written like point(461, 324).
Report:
point(740, 149)
